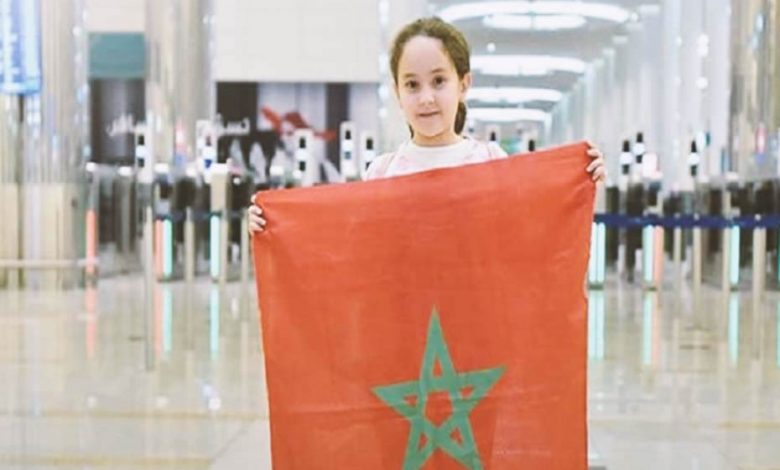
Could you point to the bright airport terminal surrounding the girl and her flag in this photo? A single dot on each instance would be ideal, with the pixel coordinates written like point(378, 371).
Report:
point(133, 134)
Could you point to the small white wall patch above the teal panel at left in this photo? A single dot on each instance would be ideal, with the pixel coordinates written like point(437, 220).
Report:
point(115, 16)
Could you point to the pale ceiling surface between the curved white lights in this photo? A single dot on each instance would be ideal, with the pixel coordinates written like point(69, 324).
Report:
point(585, 43)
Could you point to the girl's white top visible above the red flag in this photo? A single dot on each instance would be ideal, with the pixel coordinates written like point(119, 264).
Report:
point(412, 158)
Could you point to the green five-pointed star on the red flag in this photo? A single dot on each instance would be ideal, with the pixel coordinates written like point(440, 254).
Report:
point(465, 390)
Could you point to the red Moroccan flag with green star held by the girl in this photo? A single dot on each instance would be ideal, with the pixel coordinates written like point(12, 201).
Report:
point(430, 321)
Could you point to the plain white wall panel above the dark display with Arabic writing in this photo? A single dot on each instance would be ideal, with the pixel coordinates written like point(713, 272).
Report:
point(297, 41)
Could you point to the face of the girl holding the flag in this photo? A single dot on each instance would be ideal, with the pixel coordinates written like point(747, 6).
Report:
point(429, 91)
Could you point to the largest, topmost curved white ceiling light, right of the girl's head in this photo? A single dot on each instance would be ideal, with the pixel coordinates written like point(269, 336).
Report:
point(600, 11)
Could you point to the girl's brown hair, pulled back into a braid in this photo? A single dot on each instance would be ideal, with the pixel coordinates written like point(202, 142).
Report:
point(454, 44)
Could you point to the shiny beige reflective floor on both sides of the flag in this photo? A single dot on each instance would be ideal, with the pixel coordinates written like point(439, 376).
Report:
point(676, 382)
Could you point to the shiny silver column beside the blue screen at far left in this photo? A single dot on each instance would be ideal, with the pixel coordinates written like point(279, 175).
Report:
point(55, 148)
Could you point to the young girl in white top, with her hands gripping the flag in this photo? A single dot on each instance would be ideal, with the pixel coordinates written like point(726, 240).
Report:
point(430, 62)
